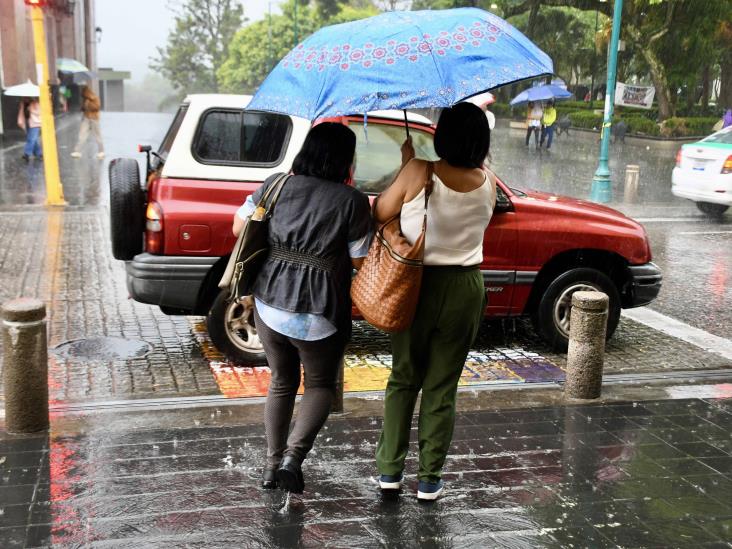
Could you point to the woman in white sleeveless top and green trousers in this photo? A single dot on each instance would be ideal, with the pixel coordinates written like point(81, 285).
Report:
point(430, 355)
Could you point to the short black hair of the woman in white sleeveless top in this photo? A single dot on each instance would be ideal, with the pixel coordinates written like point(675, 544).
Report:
point(463, 137)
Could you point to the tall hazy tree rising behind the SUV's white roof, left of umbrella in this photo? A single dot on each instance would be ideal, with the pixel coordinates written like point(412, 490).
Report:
point(199, 44)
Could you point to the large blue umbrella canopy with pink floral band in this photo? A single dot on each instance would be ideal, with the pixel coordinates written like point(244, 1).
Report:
point(399, 60)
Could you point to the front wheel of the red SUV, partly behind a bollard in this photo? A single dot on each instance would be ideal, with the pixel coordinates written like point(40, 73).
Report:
point(553, 314)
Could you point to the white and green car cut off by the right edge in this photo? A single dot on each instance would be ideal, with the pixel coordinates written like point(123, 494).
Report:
point(703, 173)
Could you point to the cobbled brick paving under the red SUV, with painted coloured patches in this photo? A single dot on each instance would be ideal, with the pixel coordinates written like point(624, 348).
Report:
point(64, 258)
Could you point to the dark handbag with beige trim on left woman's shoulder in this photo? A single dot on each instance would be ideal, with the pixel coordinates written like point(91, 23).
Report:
point(252, 245)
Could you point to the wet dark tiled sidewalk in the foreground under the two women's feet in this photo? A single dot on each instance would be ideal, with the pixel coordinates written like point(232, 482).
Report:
point(652, 473)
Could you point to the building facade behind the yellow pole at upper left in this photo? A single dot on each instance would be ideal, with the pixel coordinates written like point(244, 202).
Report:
point(70, 32)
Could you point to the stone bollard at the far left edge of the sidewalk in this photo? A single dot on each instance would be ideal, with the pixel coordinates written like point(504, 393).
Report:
point(25, 365)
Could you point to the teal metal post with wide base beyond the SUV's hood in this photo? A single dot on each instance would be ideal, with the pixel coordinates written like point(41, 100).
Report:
point(601, 190)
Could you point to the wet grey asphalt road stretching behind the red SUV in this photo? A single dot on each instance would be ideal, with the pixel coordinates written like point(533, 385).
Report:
point(694, 252)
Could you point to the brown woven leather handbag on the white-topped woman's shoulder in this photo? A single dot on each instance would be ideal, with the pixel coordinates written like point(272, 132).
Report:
point(386, 287)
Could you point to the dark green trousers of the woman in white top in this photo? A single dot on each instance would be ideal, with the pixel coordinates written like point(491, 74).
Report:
point(430, 357)
